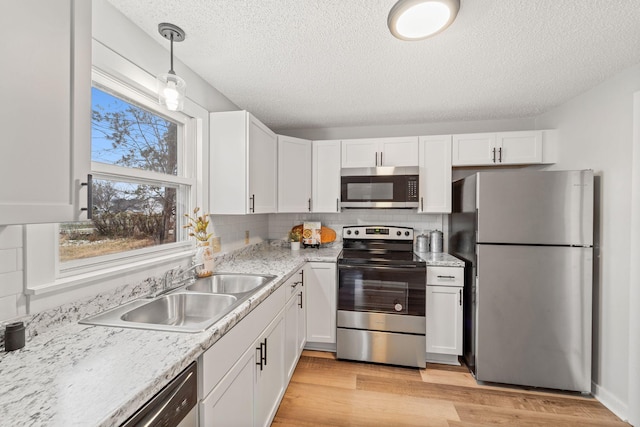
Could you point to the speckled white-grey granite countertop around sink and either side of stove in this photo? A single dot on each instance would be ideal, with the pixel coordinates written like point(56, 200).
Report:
point(79, 375)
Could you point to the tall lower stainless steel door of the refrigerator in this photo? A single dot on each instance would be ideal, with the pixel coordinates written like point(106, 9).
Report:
point(534, 316)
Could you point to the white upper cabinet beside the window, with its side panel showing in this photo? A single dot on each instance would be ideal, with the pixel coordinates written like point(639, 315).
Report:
point(243, 164)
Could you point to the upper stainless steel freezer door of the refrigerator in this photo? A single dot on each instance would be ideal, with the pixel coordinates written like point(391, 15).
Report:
point(536, 207)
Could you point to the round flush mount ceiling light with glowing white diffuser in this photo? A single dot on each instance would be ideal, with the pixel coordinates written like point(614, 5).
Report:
point(419, 19)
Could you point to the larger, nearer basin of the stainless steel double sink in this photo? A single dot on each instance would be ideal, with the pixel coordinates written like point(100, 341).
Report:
point(181, 309)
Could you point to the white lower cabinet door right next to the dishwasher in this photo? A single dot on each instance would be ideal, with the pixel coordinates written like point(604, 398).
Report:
point(231, 402)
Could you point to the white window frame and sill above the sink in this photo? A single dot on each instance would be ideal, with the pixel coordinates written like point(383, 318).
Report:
point(45, 282)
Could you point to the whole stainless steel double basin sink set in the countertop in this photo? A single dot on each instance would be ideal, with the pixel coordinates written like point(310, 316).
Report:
point(189, 308)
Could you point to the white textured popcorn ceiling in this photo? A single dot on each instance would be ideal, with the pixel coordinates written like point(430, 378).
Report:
point(325, 63)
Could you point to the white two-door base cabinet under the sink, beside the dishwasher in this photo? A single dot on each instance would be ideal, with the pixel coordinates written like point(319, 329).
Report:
point(242, 375)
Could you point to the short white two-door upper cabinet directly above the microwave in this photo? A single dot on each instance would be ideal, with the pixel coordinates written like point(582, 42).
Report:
point(366, 153)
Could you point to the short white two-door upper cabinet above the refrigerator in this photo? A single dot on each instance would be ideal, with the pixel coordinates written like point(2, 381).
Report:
point(500, 148)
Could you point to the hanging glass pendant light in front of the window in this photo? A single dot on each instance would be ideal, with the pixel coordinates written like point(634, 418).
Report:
point(171, 87)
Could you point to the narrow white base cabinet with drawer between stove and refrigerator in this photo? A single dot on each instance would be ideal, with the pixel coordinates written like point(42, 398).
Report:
point(444, 314)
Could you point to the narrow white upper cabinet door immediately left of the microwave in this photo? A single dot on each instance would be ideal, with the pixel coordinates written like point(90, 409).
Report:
point(325, 192)
